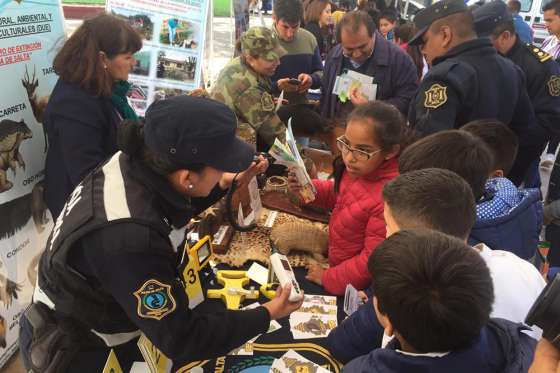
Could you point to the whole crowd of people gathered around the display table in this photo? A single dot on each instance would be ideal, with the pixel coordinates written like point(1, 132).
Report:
point(435, 208)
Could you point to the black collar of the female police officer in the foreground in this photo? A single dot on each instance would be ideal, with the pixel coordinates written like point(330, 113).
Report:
point(176, 207)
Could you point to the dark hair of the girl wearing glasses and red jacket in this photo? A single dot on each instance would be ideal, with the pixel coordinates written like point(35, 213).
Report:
point(388, 127)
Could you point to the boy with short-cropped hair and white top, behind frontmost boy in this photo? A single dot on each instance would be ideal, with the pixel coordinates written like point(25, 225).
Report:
point(441, 200)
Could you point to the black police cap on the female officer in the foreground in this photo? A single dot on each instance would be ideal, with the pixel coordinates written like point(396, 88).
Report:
point(190, 130)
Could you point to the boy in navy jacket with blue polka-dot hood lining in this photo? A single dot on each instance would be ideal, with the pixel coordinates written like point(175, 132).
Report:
point(508, 218)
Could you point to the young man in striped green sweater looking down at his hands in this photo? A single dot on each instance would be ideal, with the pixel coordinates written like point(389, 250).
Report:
point(300, 68)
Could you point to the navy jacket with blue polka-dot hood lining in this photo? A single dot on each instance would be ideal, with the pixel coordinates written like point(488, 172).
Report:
point(506, 225)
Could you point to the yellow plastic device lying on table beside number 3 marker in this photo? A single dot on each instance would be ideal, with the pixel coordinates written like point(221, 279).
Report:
point(233, 293)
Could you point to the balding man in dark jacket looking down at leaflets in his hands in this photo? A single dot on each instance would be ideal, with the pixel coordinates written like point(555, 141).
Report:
point(364, 50)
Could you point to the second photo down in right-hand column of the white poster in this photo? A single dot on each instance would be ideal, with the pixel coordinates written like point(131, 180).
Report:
point(176, 66)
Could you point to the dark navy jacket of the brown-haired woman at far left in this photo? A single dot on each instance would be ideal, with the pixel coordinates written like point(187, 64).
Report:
point(82, 132)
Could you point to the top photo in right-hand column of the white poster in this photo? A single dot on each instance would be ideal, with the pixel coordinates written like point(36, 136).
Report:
point(179, 33)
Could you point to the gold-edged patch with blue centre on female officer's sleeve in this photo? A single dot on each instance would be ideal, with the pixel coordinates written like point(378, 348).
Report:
point(155, 300)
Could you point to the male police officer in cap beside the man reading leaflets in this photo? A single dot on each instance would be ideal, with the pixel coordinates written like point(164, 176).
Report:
point(467, 79)
